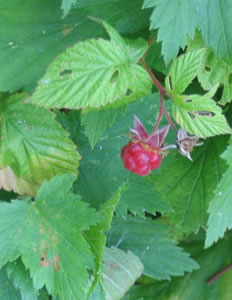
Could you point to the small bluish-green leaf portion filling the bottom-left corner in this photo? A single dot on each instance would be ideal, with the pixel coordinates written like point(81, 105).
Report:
point(7, 289)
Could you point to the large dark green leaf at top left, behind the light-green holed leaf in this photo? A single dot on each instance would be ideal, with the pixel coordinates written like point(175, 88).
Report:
point(27, 49)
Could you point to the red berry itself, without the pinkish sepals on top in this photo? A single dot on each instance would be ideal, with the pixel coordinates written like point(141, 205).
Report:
point(140, 159)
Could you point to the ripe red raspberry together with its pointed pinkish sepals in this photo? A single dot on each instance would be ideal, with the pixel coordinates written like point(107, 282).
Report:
point(144, 152)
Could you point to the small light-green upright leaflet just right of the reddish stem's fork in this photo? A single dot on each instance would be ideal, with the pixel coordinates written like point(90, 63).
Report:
point(183, 70)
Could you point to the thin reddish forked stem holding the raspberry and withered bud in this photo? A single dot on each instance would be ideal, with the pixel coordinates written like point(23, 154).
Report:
point(161, 90)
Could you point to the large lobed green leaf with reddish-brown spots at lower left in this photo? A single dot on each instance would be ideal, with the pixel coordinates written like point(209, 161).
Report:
point(47, 234)
